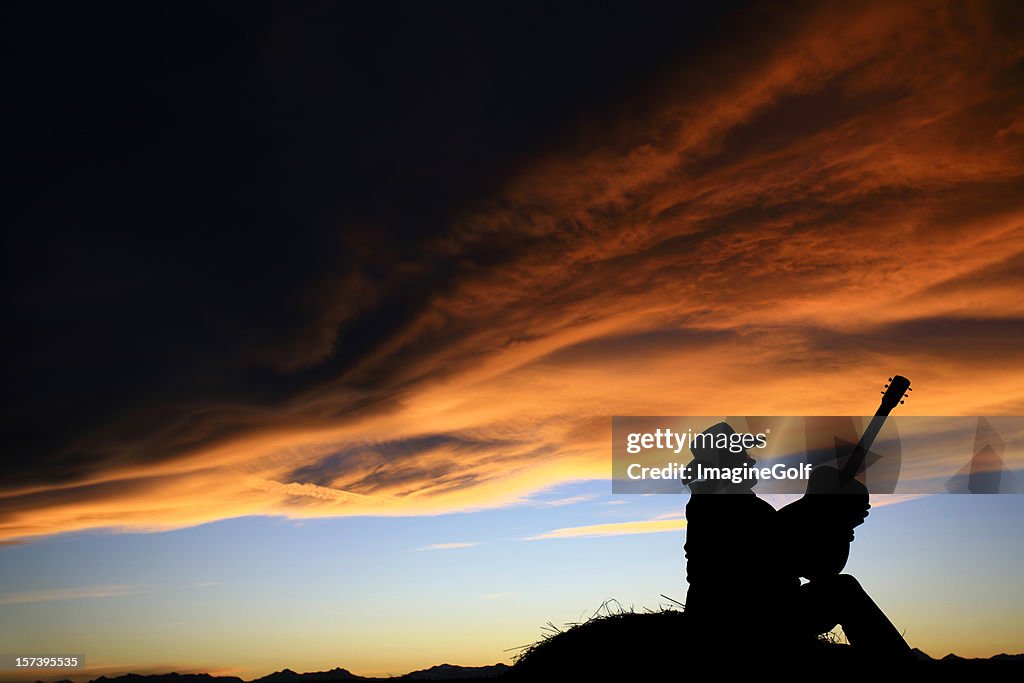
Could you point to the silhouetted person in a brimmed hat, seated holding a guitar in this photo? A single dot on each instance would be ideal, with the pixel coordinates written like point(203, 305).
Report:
point(744, 566)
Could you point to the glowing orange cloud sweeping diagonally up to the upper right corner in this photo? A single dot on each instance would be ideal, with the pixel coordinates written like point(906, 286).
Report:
point(783, 226)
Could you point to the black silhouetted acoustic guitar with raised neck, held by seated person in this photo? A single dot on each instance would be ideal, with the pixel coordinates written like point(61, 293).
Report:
point(817, 531)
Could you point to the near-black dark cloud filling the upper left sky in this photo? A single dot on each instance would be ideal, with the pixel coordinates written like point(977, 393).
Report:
point(232, 204)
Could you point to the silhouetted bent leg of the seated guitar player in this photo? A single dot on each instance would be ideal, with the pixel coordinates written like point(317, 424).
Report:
point(840, 600)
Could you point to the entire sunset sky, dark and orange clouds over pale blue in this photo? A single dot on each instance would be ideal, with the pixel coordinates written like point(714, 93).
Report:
point(317, 316)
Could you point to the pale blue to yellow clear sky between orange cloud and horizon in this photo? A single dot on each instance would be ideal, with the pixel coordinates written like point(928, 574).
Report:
point(391, 594)
